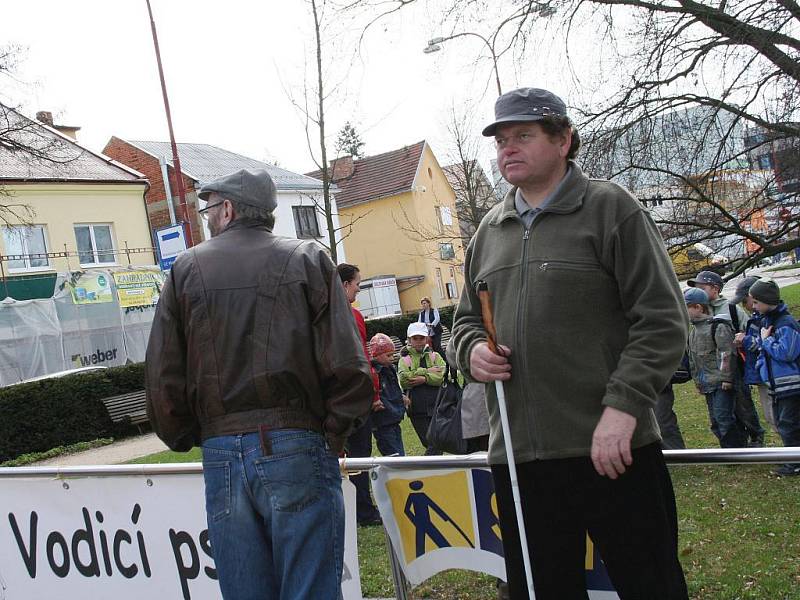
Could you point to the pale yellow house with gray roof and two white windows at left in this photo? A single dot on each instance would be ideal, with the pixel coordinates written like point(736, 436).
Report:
point(65, 208)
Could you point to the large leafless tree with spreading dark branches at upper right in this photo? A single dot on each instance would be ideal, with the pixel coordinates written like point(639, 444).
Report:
point(730, 68)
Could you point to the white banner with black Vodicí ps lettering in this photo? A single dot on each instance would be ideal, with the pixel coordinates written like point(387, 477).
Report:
point(121, 537)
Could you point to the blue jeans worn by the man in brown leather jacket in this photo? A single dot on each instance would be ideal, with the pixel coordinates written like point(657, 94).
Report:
point(276, 518)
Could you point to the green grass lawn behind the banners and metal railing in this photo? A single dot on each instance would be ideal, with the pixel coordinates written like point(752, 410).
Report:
point(739, 525)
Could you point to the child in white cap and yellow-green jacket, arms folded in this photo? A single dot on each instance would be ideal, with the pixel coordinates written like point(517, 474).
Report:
point(421, 372)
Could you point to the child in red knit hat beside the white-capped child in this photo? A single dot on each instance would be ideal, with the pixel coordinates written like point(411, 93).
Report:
point(389, 411)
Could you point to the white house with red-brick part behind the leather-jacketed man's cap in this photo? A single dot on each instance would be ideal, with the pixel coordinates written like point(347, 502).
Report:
point(299, 213)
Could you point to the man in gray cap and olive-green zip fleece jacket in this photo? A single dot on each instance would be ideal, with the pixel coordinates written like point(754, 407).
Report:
point(589, 313)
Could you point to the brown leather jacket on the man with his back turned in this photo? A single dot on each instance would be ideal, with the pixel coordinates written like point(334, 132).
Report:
point(252, 330)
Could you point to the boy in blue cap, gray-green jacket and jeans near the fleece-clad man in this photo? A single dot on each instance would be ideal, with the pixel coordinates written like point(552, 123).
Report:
point(713, 368)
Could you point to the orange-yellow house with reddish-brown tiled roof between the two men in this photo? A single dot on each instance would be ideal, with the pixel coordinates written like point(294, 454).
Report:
point(398, 214)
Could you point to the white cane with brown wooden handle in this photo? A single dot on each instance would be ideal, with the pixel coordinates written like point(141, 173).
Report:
point(488, 324)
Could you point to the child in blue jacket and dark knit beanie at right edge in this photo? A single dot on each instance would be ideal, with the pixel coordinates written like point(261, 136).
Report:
point(778, 362)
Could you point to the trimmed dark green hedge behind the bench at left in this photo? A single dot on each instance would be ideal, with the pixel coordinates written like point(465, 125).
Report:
point(38, 416)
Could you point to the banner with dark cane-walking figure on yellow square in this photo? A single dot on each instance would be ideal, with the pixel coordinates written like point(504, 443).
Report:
point(441, 519)
